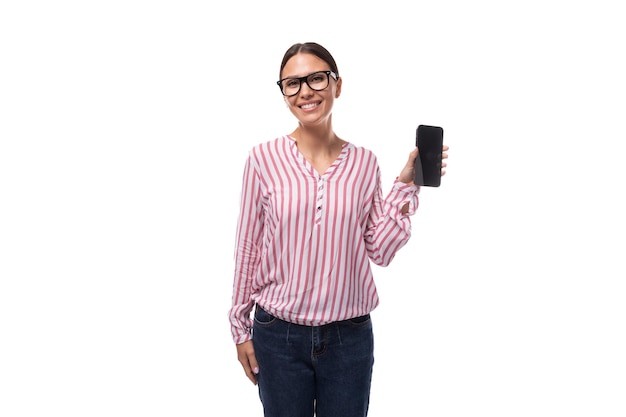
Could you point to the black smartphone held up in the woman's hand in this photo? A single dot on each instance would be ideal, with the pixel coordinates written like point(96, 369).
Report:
point(427, 169)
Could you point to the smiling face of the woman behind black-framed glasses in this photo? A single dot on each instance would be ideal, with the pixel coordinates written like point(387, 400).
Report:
point(309, 106)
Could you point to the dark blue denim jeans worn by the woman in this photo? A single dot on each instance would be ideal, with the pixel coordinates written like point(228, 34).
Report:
point(321, 370)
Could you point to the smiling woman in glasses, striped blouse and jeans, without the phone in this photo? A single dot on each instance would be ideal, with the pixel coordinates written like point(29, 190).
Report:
point(312, 218)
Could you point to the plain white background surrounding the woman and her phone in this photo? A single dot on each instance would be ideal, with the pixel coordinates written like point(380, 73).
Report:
point(124, 128)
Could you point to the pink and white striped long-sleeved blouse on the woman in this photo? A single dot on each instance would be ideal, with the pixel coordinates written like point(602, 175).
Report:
point(304, 241)
